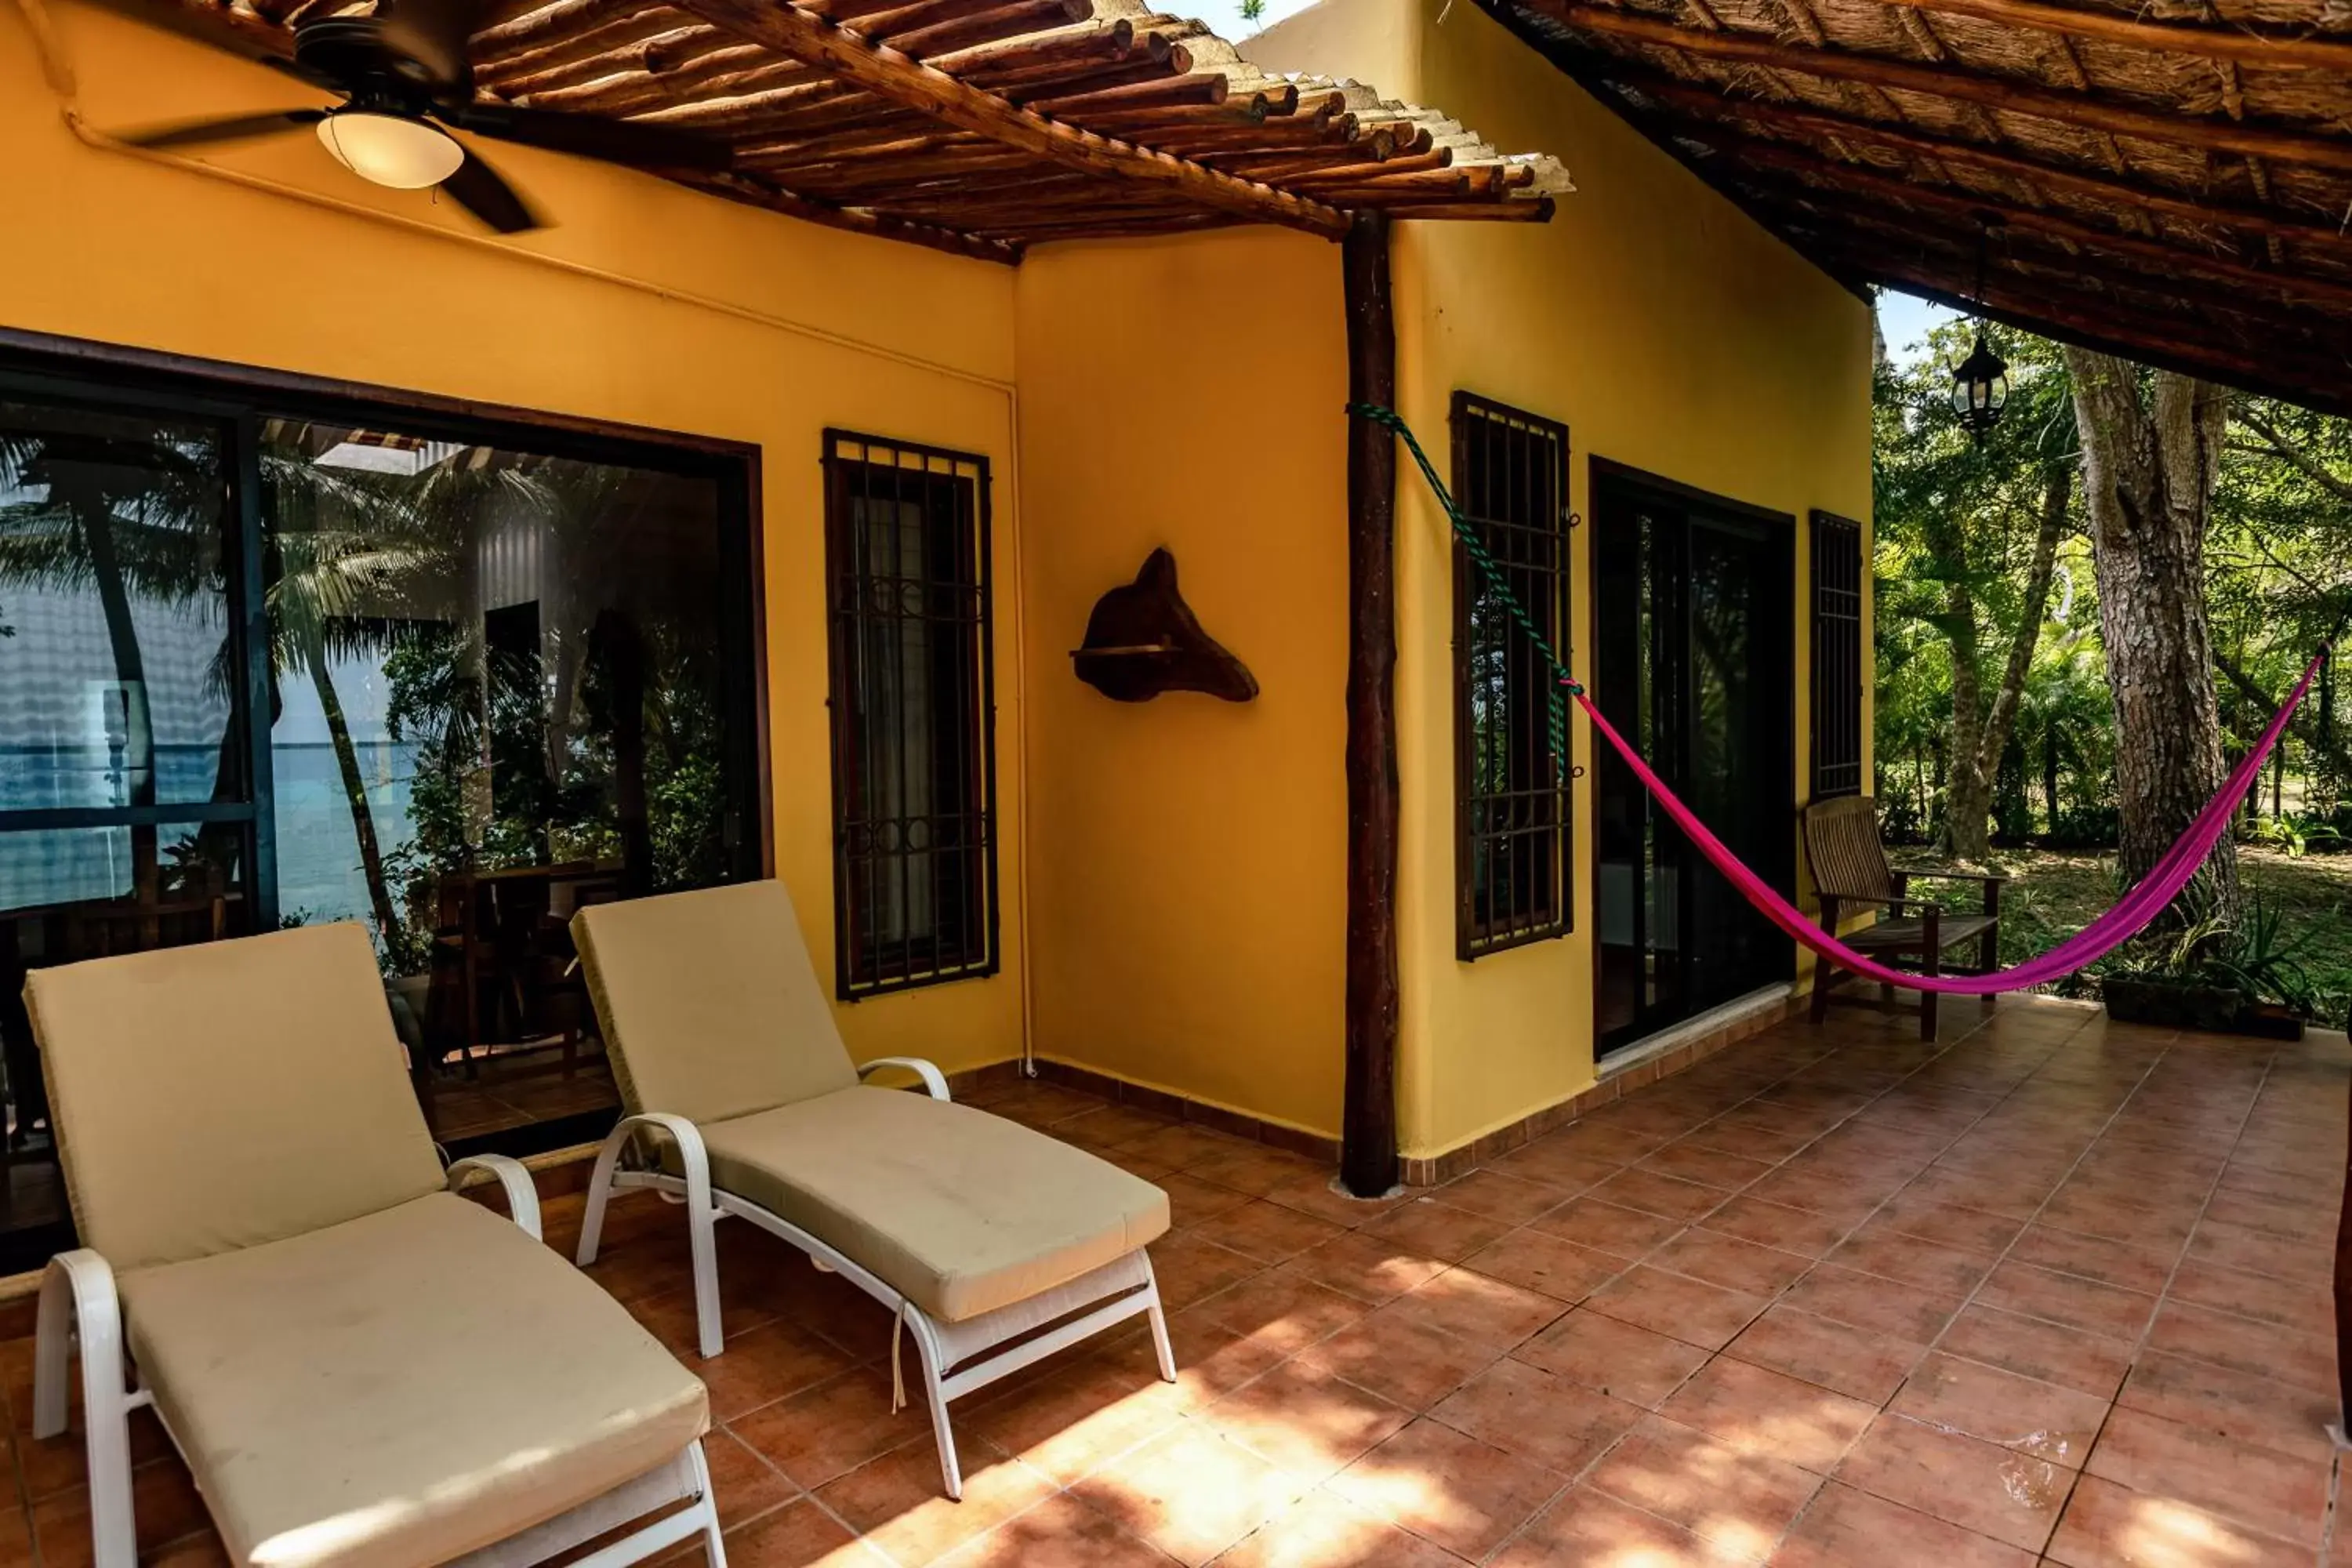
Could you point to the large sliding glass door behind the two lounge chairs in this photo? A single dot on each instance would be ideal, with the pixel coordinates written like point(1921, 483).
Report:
point(281, 662)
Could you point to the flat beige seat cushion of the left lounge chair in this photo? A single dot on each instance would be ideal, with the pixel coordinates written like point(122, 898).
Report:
point(403, 1388)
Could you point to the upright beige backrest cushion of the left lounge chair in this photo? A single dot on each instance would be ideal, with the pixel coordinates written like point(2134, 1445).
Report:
point(229, 1094)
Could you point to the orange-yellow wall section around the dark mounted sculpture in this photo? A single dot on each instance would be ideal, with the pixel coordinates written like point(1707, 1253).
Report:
point(1191, 855)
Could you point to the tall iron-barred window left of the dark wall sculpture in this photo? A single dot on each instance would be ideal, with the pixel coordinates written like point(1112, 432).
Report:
point(914, 716)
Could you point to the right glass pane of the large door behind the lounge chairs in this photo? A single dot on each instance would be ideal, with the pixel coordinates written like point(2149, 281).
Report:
point(497, 697)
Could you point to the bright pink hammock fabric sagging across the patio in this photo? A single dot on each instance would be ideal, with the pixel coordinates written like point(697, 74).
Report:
point(2102, 937)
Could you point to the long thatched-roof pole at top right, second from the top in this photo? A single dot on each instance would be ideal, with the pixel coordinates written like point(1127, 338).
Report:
point(1953, 83)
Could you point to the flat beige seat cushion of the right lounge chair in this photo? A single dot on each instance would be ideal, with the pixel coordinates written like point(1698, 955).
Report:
point(956, 1209)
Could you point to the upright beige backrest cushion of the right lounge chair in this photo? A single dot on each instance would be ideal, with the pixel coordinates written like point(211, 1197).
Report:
point(709, 1003)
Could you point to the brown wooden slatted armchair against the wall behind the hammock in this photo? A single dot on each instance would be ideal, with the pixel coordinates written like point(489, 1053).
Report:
point(1850, 871)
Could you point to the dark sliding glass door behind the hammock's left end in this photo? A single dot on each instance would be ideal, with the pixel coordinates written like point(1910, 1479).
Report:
point(1695, 664)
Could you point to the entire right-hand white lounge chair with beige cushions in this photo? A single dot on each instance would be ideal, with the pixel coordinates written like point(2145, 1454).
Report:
point(991, 1242)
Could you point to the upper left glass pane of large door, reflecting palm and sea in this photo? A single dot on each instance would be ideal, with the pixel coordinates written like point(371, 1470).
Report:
point(116, 669)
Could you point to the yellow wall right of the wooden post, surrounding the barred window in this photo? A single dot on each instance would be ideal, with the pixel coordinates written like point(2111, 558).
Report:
point(1669, 333)
